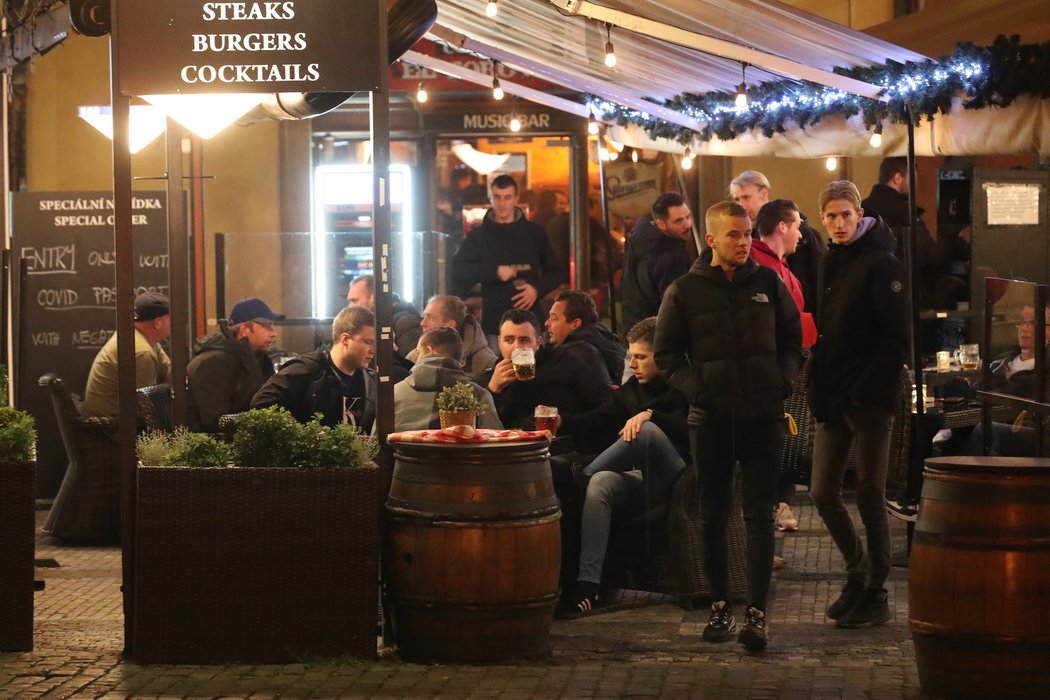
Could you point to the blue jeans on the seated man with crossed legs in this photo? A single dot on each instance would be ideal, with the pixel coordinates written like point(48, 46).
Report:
point(627, 476)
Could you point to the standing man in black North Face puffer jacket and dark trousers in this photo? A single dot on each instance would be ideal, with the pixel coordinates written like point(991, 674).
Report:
point(730, 341)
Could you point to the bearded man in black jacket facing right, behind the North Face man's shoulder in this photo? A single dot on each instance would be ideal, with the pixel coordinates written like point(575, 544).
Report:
point(656, 257)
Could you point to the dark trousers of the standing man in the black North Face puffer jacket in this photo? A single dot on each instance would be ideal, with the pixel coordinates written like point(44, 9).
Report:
point(719, 446)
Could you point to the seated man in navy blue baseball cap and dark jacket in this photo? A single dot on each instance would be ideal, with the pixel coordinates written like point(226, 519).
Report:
point(232, 365)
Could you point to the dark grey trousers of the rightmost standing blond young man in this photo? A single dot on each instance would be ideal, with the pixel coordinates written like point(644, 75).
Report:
point(870, 429)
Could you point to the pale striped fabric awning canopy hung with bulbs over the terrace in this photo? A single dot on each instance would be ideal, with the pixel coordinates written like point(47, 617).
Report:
point(667, 48)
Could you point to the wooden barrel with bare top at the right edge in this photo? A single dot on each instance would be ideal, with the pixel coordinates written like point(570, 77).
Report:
point(979, 579)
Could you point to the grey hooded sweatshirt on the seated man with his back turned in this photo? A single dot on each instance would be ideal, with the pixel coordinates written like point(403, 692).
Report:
point(415, 399)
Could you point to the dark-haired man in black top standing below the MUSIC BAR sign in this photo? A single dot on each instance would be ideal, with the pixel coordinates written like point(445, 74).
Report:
point(510, 257)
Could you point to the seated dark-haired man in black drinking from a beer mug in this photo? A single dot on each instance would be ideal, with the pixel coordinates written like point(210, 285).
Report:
point(572, 377)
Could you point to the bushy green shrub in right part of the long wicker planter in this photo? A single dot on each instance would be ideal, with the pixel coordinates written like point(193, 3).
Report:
point(272, 438)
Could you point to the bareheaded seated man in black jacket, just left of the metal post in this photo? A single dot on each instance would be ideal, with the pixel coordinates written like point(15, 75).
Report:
point(338, 384)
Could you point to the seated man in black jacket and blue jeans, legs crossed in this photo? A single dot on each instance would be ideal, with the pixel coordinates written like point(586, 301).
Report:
point(639, 465)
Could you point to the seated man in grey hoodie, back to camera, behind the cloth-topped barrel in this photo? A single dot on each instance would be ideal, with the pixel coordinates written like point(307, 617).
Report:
point(437, 367)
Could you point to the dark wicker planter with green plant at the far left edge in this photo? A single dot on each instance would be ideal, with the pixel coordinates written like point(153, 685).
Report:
point(18, 446)
